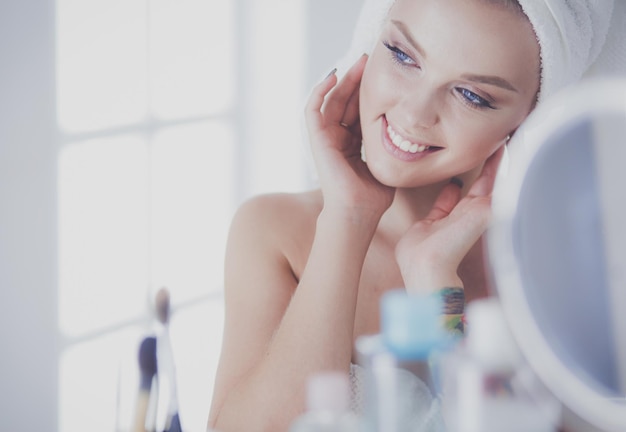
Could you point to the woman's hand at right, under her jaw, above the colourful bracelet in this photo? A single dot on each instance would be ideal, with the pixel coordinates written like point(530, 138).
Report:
point(430, 252)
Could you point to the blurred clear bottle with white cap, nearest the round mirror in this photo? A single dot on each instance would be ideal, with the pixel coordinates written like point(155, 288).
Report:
point(487, 386)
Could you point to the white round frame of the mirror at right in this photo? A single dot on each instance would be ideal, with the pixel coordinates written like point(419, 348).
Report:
point(587, 99)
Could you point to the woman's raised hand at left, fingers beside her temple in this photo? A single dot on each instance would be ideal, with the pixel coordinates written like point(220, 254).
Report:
point(335, 133)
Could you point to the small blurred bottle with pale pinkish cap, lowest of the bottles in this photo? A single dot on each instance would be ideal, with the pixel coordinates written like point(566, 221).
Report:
point(328, 405)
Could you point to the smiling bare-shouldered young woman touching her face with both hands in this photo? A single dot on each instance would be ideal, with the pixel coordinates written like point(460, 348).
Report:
point(431, 107)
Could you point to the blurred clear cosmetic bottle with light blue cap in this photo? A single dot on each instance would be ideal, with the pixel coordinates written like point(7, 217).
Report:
point(401, 393)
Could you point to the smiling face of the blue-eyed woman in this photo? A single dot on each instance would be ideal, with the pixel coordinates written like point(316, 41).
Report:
point(446, 83)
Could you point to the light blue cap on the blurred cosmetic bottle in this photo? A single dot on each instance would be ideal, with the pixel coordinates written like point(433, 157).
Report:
point(411, 323)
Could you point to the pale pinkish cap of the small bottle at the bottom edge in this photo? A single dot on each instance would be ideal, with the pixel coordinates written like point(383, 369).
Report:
point(328, 391)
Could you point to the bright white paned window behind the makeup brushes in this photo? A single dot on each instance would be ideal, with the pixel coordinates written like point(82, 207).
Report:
point(153, 97)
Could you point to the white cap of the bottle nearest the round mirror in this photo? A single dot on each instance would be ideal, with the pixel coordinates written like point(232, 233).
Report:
point(489, 339)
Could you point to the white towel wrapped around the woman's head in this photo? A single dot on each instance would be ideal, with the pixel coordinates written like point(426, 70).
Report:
point(571, 35)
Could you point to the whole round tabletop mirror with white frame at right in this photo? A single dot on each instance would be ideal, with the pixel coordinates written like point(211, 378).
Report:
point(557, 247)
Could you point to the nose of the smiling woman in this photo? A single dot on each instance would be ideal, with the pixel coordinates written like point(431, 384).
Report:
point(419, 108)
